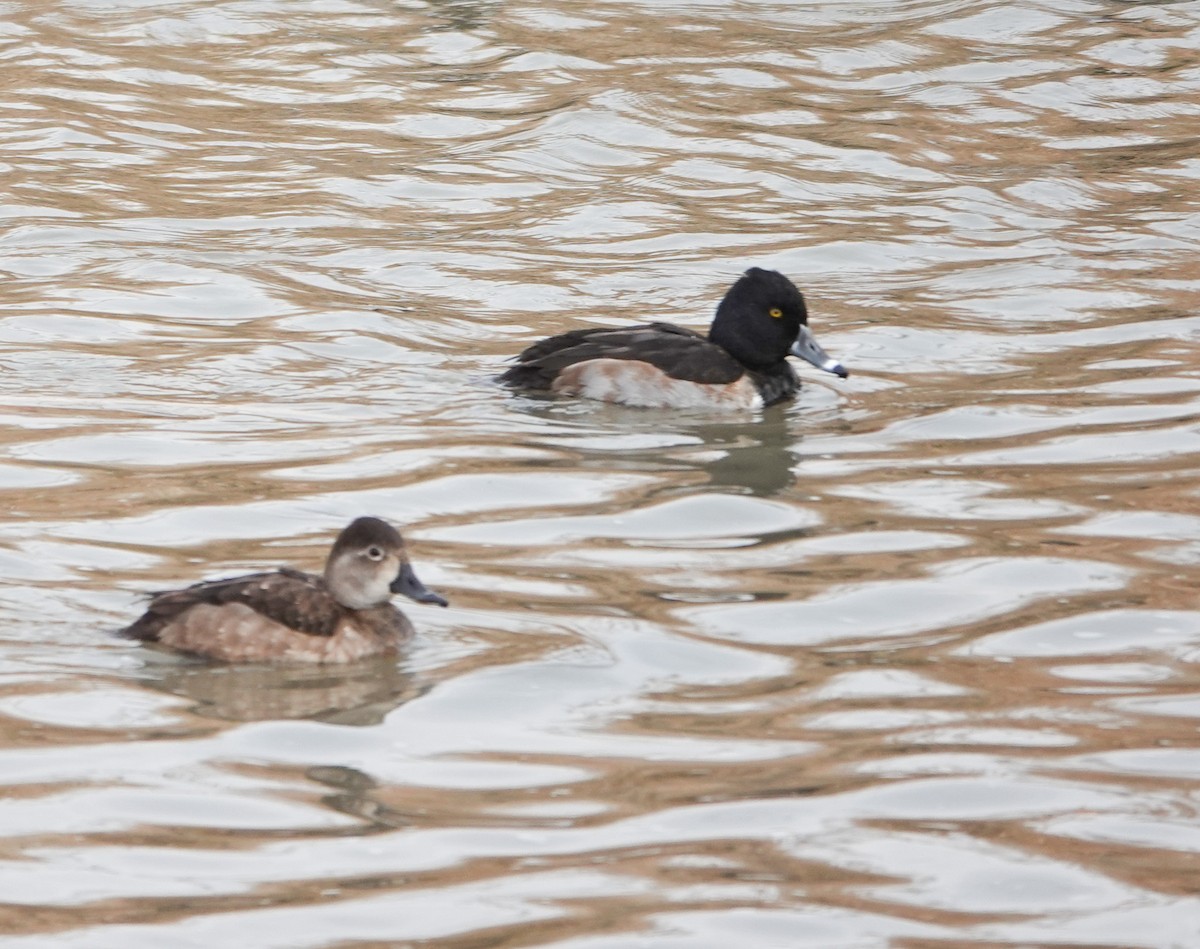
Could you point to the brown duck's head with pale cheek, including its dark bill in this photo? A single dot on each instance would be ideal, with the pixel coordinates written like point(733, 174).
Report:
point(369, 564)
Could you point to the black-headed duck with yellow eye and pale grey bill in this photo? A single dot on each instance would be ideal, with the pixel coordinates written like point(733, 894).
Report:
point(741, 364)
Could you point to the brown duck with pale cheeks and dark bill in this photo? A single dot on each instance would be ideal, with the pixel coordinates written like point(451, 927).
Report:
point(290, 616)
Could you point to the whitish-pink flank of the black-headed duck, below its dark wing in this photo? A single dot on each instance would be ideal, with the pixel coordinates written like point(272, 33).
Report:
point(632, 383)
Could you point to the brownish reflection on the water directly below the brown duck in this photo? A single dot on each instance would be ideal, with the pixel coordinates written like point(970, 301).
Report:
point(359, 694)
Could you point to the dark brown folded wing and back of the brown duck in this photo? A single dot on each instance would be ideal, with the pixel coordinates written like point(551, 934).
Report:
point(289, 597)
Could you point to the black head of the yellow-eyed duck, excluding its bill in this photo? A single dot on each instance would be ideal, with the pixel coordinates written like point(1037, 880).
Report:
point(760, 319)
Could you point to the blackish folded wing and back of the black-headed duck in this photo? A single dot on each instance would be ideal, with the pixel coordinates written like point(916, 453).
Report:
point(679, 352)
